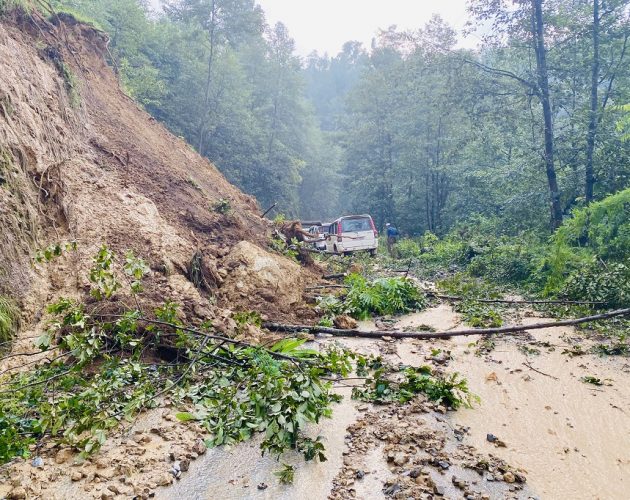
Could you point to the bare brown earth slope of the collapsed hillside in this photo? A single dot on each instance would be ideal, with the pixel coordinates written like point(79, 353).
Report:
point(80, 161)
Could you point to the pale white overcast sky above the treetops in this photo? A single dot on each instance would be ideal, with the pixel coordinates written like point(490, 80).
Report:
point(324, 25)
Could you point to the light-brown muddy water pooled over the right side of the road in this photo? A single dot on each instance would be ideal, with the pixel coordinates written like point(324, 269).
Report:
point(572, 438)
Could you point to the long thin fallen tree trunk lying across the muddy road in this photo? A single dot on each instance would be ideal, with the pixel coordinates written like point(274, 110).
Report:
point(433, 335)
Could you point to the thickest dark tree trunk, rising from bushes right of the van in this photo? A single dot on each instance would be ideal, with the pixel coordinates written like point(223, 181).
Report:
point(543, 89)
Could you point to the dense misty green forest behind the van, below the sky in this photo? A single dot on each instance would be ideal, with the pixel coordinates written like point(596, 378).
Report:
point(412, 129)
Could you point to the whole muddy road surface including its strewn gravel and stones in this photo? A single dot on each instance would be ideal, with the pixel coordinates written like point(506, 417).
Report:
point(564, 437)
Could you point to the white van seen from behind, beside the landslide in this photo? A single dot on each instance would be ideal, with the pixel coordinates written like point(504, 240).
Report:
point(352, 233)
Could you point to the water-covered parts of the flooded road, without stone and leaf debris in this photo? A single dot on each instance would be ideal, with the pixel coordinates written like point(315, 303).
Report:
point(571, 438)
